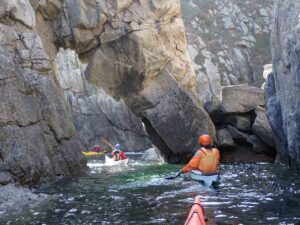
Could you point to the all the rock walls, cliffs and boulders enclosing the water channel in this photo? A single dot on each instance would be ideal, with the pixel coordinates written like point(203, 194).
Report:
point(146, 74)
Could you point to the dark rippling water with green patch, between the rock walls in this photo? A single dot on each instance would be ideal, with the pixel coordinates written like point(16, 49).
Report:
point(138, 194)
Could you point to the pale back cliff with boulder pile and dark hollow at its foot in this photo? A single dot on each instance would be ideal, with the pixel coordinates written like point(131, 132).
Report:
point(229, 44)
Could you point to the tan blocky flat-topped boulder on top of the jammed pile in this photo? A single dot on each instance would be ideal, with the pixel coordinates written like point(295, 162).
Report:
point(241, 98)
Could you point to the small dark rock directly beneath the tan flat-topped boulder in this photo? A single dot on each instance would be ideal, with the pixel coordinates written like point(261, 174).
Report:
point(240, 122)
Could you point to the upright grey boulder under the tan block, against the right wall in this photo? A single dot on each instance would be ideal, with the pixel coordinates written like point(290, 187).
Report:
point(262, 128)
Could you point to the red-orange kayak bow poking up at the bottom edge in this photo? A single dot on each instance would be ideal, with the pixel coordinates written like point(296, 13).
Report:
point(196, 214)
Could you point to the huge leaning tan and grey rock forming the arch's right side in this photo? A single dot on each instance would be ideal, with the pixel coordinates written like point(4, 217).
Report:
point(145, 62)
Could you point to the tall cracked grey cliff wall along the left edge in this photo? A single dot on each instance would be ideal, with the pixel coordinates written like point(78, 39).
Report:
point(37, 137)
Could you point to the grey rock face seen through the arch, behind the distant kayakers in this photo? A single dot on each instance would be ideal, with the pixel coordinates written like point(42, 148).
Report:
point(95, 113)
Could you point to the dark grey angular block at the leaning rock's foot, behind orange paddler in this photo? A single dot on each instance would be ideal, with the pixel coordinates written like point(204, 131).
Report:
point(179, 119)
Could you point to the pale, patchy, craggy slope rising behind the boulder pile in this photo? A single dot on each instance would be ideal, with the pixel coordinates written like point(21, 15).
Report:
point(228, 41)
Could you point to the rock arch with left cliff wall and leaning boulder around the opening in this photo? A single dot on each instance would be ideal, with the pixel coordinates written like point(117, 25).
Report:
point(135, 50)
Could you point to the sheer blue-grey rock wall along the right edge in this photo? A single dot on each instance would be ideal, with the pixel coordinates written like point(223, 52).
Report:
point(282, 89)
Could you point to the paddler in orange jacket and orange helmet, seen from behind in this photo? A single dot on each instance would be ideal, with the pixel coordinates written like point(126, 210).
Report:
point(206, 159)
